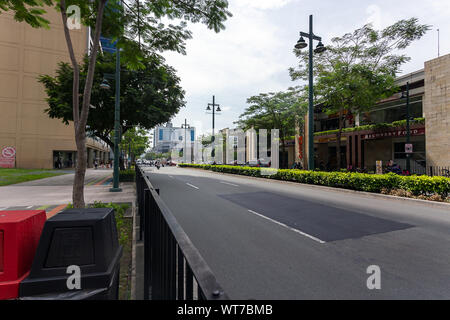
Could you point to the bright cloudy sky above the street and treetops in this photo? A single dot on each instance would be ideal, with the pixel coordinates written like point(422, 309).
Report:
point(253, 54)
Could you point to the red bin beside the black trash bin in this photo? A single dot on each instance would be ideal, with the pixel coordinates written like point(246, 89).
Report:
point(19, 237)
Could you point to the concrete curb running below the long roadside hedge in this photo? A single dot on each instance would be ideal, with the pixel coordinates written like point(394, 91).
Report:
point(428, 203)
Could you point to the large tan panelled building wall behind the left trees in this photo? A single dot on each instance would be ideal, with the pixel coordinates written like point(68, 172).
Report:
point(26, 53)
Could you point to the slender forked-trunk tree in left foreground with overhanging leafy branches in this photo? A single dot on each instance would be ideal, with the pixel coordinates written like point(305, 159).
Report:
point(120, 24)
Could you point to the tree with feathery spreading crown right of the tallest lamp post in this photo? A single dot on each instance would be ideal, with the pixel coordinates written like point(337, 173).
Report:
point(359, 68)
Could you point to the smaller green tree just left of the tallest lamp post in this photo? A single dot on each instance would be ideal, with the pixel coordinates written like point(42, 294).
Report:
point(275, 111)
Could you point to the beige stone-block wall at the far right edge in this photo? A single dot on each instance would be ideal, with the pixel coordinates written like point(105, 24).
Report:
point(436, 109)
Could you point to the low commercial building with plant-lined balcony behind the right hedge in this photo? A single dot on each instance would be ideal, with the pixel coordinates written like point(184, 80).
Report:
point(381, 133)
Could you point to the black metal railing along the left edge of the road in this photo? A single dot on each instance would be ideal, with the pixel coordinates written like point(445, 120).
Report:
point(173, 267)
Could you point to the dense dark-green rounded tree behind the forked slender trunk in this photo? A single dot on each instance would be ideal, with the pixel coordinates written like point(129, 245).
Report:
point(149, 97)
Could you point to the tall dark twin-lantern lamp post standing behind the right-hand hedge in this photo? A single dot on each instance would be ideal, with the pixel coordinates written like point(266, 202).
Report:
point(320, 48)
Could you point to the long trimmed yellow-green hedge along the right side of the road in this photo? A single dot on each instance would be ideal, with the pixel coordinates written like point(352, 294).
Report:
point(417, 185)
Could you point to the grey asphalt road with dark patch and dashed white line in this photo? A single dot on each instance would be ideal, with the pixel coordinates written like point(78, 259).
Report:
point(275, 240)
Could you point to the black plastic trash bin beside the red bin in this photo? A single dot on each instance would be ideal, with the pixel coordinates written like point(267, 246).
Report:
point(86, 238)
